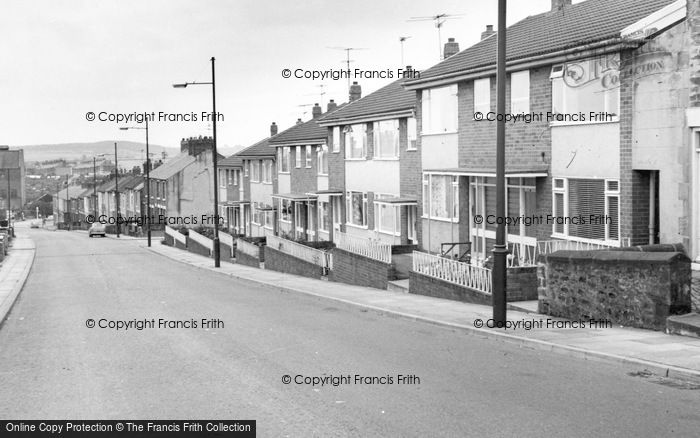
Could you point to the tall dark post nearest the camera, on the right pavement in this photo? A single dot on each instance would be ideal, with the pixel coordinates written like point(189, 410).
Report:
point(500, 250)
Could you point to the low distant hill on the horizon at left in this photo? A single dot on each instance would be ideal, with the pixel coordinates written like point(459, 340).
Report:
point(127, 150)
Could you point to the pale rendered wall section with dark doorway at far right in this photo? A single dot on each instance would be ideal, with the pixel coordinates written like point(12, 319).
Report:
point(654, 93)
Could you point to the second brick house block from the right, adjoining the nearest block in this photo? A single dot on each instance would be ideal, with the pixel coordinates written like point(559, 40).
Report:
point(375, 165)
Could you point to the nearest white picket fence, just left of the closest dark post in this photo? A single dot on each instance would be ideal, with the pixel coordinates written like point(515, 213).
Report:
point(452, 271)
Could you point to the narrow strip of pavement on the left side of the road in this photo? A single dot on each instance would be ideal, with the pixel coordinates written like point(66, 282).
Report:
point(14, 271)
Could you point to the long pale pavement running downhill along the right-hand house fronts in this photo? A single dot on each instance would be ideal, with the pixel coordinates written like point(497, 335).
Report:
point(660, 353)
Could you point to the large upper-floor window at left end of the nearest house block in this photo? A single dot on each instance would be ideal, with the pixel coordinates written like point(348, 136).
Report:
point(440, 110)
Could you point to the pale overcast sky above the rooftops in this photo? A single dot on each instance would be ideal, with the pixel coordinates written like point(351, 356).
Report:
point(63, 59)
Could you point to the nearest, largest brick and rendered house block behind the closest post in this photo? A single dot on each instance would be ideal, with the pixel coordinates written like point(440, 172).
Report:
point(584, 148)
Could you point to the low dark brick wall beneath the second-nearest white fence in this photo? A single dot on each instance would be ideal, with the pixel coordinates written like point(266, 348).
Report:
point(351, 268)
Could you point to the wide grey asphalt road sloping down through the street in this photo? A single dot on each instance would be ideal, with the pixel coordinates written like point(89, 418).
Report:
point(53, 366)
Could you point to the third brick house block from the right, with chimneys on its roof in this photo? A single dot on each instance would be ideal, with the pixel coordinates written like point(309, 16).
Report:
point(302, 198)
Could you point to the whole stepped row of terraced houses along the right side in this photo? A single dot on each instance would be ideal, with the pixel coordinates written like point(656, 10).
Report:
point(601, 152)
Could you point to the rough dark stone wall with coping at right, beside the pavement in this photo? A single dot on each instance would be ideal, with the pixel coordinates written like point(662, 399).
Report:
point(638, 289)
